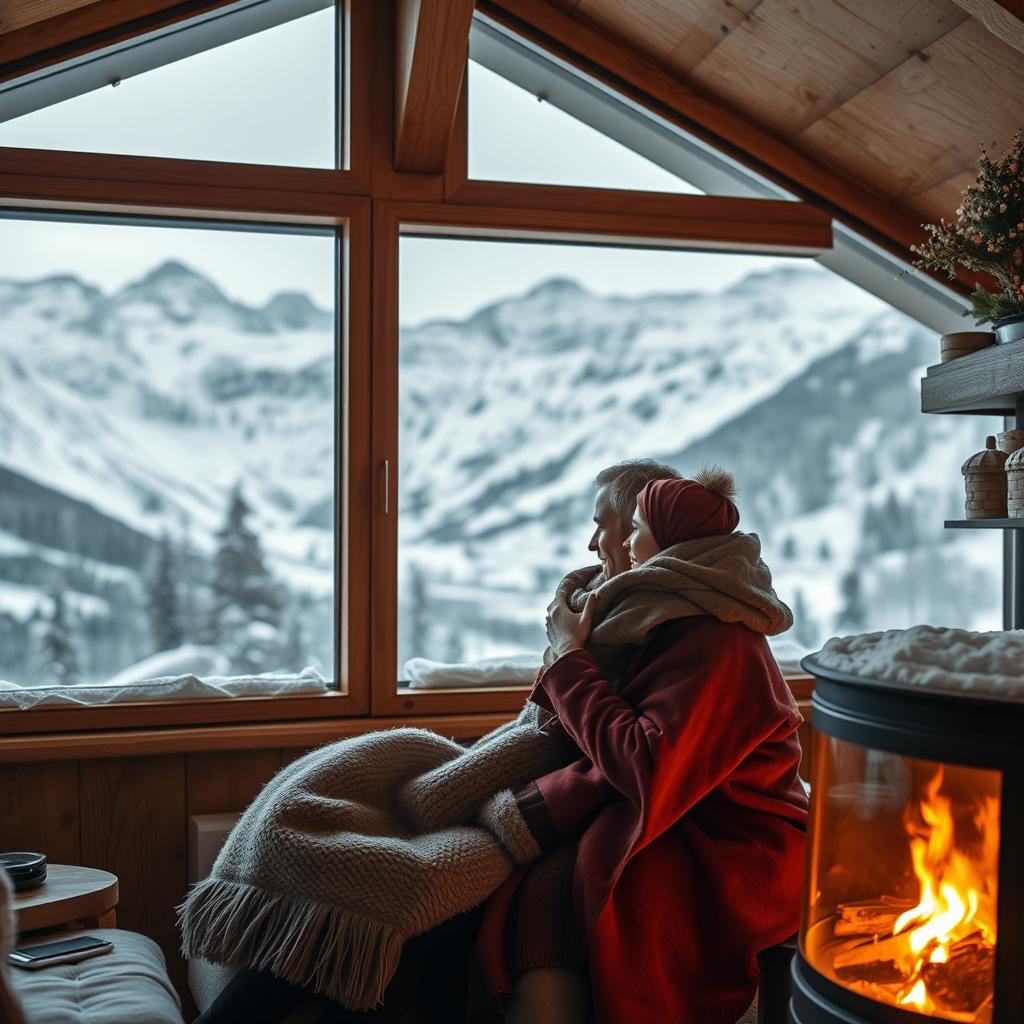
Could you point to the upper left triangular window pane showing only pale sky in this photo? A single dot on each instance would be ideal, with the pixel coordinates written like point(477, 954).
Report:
point(266, 99)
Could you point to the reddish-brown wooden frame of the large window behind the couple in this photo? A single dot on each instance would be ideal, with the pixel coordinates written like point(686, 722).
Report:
point(685, 223)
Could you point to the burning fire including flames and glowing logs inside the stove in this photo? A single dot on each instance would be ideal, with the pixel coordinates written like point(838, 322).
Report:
point(936, 957)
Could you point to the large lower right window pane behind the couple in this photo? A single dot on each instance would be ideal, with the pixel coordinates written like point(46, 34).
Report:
point(526, 369)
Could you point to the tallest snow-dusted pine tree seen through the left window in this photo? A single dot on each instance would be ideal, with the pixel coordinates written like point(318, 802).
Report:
point(245, 619)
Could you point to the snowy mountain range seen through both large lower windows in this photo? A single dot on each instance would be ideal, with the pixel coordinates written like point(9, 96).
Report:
point(129, 415)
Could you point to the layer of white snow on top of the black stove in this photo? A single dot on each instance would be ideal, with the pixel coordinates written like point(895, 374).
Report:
point(953, 661)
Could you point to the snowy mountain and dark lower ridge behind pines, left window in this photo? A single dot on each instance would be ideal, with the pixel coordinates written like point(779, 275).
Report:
point(132, 415)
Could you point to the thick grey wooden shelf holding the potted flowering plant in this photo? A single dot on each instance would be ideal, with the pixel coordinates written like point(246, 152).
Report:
point(988, 382)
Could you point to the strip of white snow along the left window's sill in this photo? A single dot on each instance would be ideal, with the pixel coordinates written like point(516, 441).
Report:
point(185, 688)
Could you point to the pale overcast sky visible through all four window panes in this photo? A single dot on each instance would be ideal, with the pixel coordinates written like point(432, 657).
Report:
point(267, 99)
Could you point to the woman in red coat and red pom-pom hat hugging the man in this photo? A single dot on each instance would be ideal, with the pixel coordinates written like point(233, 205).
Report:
point(676, 838)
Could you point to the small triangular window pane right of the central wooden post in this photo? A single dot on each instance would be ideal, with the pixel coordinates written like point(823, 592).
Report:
point(516, 138)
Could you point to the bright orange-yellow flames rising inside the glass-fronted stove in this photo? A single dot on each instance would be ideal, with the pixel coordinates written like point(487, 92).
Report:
point(958, 891)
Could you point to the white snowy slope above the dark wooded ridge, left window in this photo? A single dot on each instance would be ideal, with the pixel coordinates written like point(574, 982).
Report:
point(153, 403)
